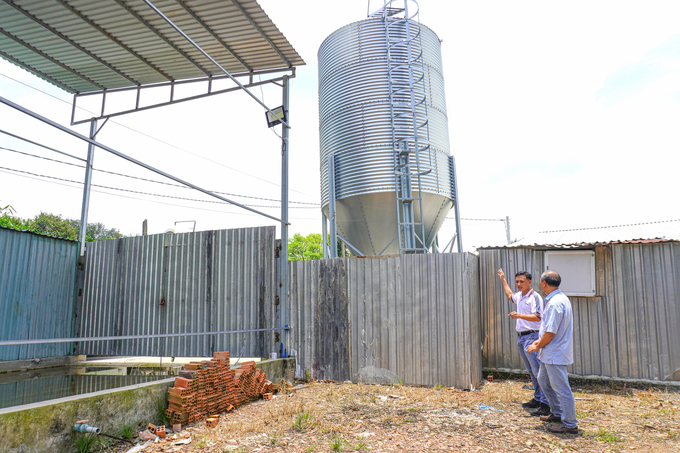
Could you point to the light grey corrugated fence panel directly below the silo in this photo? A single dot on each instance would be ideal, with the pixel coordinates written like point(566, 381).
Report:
point(415, 316)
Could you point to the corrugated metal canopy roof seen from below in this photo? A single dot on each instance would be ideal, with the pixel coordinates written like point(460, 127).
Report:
point(94, 45)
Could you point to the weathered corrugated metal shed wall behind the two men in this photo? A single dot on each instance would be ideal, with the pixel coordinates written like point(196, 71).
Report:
point(628, 331)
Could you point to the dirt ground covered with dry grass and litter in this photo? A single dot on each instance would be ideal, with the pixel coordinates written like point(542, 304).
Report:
point(327, 417)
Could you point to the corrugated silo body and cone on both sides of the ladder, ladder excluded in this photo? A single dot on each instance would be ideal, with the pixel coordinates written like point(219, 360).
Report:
point(355, 126)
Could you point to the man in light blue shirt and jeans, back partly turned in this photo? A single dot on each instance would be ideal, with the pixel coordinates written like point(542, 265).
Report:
point(556, 351)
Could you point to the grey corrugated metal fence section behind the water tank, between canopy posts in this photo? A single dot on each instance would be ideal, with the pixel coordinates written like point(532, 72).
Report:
point(181, 283)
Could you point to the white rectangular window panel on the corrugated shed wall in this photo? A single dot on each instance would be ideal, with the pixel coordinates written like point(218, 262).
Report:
point(577, 269)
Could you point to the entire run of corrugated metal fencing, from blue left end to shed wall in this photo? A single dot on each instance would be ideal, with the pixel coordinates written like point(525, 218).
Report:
point(408, 318)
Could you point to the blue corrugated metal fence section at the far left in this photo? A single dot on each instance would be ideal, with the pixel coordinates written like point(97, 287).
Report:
point(37, 288)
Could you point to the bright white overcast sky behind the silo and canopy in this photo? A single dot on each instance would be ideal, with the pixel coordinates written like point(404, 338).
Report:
point(562, 116)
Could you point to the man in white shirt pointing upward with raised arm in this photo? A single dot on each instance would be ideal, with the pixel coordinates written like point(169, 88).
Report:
point(528, 315)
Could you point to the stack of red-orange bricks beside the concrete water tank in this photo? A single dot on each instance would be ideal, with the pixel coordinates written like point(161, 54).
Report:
point(211, 387)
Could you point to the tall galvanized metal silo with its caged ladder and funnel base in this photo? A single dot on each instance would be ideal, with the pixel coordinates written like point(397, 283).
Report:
point(384, 134)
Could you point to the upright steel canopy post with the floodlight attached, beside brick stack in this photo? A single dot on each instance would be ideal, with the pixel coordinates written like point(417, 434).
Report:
point(283, 255)
